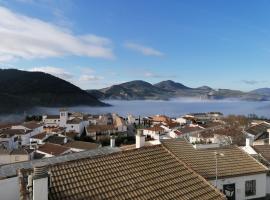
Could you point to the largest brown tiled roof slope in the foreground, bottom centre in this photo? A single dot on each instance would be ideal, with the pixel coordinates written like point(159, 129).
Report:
point(146, 173)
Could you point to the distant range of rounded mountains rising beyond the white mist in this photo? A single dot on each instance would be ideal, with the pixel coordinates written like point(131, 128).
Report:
point(139, 90)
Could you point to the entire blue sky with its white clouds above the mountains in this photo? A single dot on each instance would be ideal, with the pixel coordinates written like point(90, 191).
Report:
point(97, 43)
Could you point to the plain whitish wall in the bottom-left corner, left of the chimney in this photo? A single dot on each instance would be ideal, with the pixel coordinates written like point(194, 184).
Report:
point(9, 189)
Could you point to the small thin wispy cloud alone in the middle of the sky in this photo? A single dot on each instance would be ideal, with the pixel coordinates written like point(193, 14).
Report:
point(147, 51)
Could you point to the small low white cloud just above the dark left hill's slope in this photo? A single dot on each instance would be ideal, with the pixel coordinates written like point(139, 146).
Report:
point(55, 71)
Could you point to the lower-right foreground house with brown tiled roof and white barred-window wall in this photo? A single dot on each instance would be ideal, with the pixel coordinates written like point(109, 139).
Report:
point(230, 169)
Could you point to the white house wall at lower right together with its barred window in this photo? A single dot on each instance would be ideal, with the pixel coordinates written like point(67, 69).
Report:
point(245, 187)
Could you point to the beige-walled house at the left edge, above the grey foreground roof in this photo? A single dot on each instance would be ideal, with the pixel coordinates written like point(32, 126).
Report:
point(13, 155)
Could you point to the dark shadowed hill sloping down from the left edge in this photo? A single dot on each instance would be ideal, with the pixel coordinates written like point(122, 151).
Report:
point(21, 90)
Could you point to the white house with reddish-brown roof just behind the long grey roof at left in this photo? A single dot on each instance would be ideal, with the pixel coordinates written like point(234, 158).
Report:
point(49, 150)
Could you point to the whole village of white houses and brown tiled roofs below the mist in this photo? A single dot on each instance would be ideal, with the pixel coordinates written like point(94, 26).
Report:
point(228, 156)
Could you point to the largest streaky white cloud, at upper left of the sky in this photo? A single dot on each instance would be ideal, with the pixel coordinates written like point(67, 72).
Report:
point(22, 37)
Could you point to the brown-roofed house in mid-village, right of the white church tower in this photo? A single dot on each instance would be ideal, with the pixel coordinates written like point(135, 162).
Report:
point(99, 131)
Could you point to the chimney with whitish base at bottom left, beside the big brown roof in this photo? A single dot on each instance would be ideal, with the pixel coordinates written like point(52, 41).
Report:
point(40, 182)
